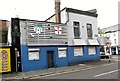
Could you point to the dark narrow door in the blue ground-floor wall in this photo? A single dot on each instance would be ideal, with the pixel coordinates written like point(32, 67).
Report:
point(50, 59)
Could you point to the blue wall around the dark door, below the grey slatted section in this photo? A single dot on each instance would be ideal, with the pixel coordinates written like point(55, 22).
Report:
point(28, 65)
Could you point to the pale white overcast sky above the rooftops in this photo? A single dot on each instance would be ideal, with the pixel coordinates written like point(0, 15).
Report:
point(107, 10)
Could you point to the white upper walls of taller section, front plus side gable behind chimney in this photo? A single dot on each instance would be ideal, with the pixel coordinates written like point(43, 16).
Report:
point(69, 18)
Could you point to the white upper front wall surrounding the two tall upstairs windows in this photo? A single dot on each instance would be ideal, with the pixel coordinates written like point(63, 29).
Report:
point(83, 20)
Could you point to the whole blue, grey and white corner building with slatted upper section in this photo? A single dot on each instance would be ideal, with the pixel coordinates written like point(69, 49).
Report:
point(46, 44)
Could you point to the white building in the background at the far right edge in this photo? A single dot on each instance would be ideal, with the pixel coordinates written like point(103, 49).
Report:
point(113, 34)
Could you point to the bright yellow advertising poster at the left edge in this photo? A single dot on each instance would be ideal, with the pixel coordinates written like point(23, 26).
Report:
point(5, 60)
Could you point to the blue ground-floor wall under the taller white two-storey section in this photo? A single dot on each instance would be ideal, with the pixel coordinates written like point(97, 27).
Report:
point(86, 57)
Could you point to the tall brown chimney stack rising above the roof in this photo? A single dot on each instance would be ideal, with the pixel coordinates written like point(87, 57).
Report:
point(57, 11)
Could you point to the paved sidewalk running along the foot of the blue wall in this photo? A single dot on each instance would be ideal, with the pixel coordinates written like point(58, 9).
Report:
point(44, 72)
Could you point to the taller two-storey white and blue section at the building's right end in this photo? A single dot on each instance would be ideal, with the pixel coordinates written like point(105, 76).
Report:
point(82, 31)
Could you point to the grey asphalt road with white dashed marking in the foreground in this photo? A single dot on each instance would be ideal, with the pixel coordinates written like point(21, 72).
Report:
point(108, 71)
